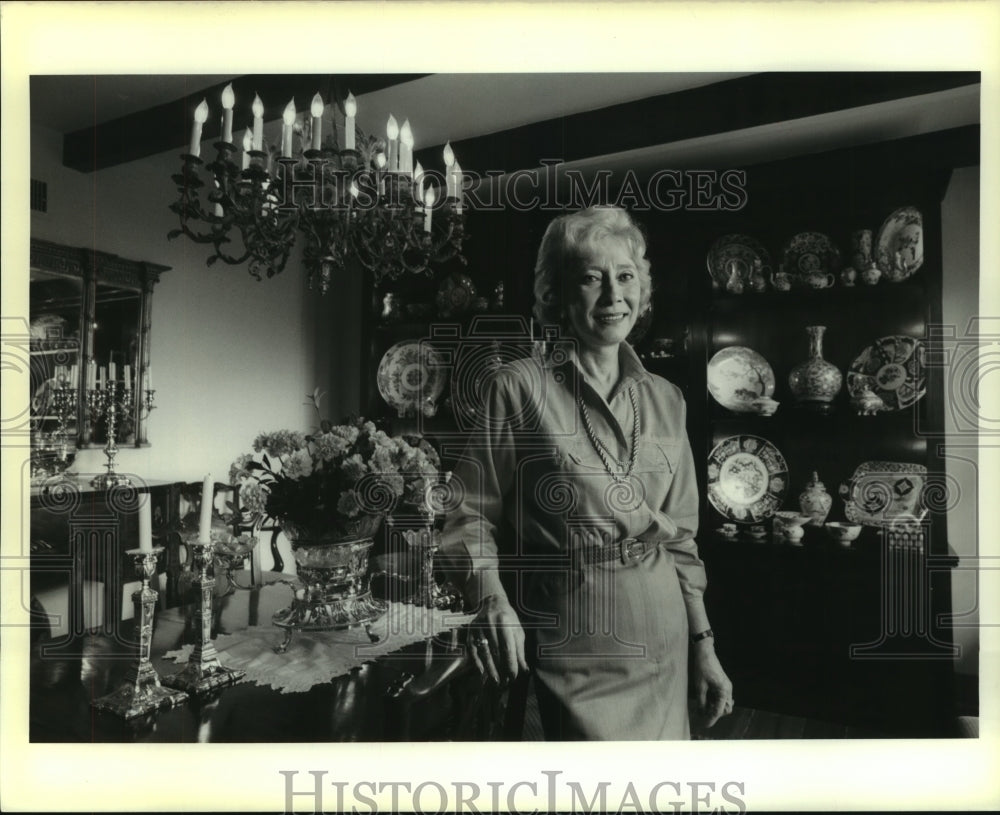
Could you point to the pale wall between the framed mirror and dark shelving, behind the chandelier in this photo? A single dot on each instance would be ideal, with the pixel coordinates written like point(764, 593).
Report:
point(231, 356)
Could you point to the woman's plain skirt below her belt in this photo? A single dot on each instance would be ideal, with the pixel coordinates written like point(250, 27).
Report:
point(608, 646)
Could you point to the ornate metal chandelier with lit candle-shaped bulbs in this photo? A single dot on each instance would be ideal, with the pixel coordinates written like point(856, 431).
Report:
point(366, 203)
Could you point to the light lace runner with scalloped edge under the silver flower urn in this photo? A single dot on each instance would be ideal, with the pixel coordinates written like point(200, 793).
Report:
point(315, 657)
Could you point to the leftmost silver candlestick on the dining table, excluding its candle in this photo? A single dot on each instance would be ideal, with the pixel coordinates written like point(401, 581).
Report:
point(141, 692)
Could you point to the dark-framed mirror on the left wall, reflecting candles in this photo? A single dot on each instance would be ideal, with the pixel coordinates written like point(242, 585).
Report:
point(90, 376)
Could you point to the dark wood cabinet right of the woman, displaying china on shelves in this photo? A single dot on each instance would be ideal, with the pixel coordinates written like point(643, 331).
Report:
point(846, 634)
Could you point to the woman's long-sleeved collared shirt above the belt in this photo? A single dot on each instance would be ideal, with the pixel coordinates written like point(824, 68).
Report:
point(535, 487)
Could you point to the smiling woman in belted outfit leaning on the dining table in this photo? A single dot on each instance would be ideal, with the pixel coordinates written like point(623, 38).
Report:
point(575, 538)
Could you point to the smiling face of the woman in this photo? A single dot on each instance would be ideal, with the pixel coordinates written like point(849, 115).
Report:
point(603, 295)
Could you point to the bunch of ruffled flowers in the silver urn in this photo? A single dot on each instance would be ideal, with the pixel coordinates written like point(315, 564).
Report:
point(324, 481)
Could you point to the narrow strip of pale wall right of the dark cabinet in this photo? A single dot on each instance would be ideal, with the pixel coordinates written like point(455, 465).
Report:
point(960, 239)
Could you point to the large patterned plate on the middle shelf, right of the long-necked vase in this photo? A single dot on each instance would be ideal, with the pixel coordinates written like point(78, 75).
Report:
point(893, 367)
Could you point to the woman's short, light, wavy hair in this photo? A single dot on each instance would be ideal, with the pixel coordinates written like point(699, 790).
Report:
point(563, 245)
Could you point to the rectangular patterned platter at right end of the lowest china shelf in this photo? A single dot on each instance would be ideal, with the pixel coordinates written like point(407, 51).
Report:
point(881, 492)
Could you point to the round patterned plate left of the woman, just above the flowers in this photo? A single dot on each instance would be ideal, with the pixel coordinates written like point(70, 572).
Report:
point(411, 377)
